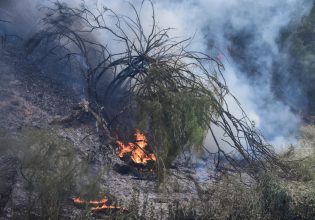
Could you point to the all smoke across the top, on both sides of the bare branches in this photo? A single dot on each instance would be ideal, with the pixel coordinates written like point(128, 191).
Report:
point(243, 34)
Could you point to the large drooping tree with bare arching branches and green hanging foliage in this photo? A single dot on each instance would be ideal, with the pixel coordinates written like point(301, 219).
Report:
point(172, 93)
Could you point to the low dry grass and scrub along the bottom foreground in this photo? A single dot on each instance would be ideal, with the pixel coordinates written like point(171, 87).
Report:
point(48, 164)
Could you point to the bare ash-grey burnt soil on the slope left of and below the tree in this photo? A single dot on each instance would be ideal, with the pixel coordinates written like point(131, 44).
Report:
point(30, 98)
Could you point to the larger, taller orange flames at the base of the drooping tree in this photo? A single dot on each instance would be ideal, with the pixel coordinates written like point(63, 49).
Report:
point(137, 149)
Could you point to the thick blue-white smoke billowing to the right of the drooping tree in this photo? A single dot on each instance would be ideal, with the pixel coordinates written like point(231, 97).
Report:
point(216, 22)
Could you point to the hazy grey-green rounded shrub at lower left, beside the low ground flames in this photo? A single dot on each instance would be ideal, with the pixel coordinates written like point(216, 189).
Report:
point(49, 167)
